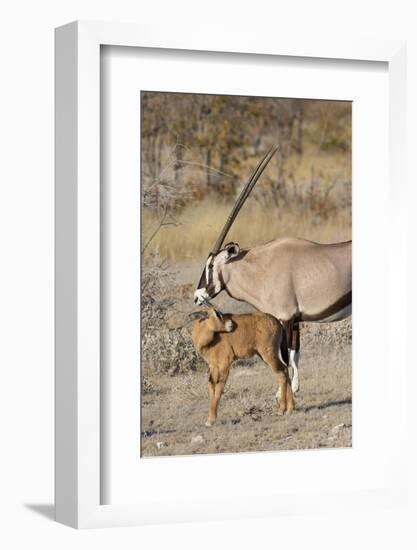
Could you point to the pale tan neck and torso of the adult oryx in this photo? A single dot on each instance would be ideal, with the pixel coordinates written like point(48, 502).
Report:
point(291, 278)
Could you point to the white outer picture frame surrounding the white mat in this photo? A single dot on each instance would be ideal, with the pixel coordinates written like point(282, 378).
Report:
point(78, 478)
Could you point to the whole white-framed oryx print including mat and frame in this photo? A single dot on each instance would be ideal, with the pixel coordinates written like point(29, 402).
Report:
point(217, 201)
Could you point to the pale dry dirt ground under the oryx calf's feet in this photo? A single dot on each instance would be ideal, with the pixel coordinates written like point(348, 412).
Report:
point(174, 407)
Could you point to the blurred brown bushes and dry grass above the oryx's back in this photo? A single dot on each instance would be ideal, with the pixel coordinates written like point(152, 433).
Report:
point(198, 151)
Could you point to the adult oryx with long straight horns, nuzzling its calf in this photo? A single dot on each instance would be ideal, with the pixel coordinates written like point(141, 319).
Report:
point(292, 279)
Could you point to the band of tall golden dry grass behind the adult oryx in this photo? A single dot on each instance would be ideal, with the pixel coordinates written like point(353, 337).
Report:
point(198, 227)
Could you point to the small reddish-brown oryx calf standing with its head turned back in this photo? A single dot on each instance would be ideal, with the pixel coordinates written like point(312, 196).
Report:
point(251, 334)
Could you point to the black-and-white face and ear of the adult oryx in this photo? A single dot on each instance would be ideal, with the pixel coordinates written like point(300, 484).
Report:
point(211, 281)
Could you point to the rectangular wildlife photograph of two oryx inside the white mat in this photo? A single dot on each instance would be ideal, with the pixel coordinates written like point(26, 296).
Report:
point(246, 273)
